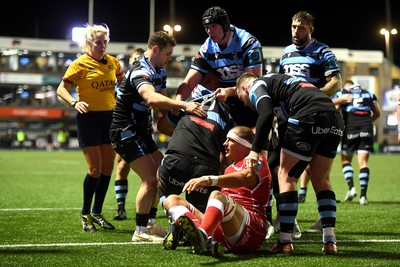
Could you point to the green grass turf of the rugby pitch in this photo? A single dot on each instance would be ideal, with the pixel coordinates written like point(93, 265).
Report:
point(41, 196)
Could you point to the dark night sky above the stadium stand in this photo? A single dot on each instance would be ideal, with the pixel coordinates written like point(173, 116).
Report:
point(352, 24)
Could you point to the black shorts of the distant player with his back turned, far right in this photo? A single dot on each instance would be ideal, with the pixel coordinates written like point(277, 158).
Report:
point(358, 140)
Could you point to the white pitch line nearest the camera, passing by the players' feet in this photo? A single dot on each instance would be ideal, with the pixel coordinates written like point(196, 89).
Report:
point(160, 242)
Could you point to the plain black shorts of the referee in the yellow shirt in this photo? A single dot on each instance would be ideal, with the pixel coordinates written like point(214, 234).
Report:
point(93, 128)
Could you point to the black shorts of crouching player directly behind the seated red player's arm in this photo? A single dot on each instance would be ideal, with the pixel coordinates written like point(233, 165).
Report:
point(177, 169)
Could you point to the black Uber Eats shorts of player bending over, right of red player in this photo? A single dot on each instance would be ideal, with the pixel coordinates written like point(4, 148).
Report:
point(318, 133)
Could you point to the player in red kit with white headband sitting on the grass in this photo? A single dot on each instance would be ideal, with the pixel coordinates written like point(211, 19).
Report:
point(235, 216)
